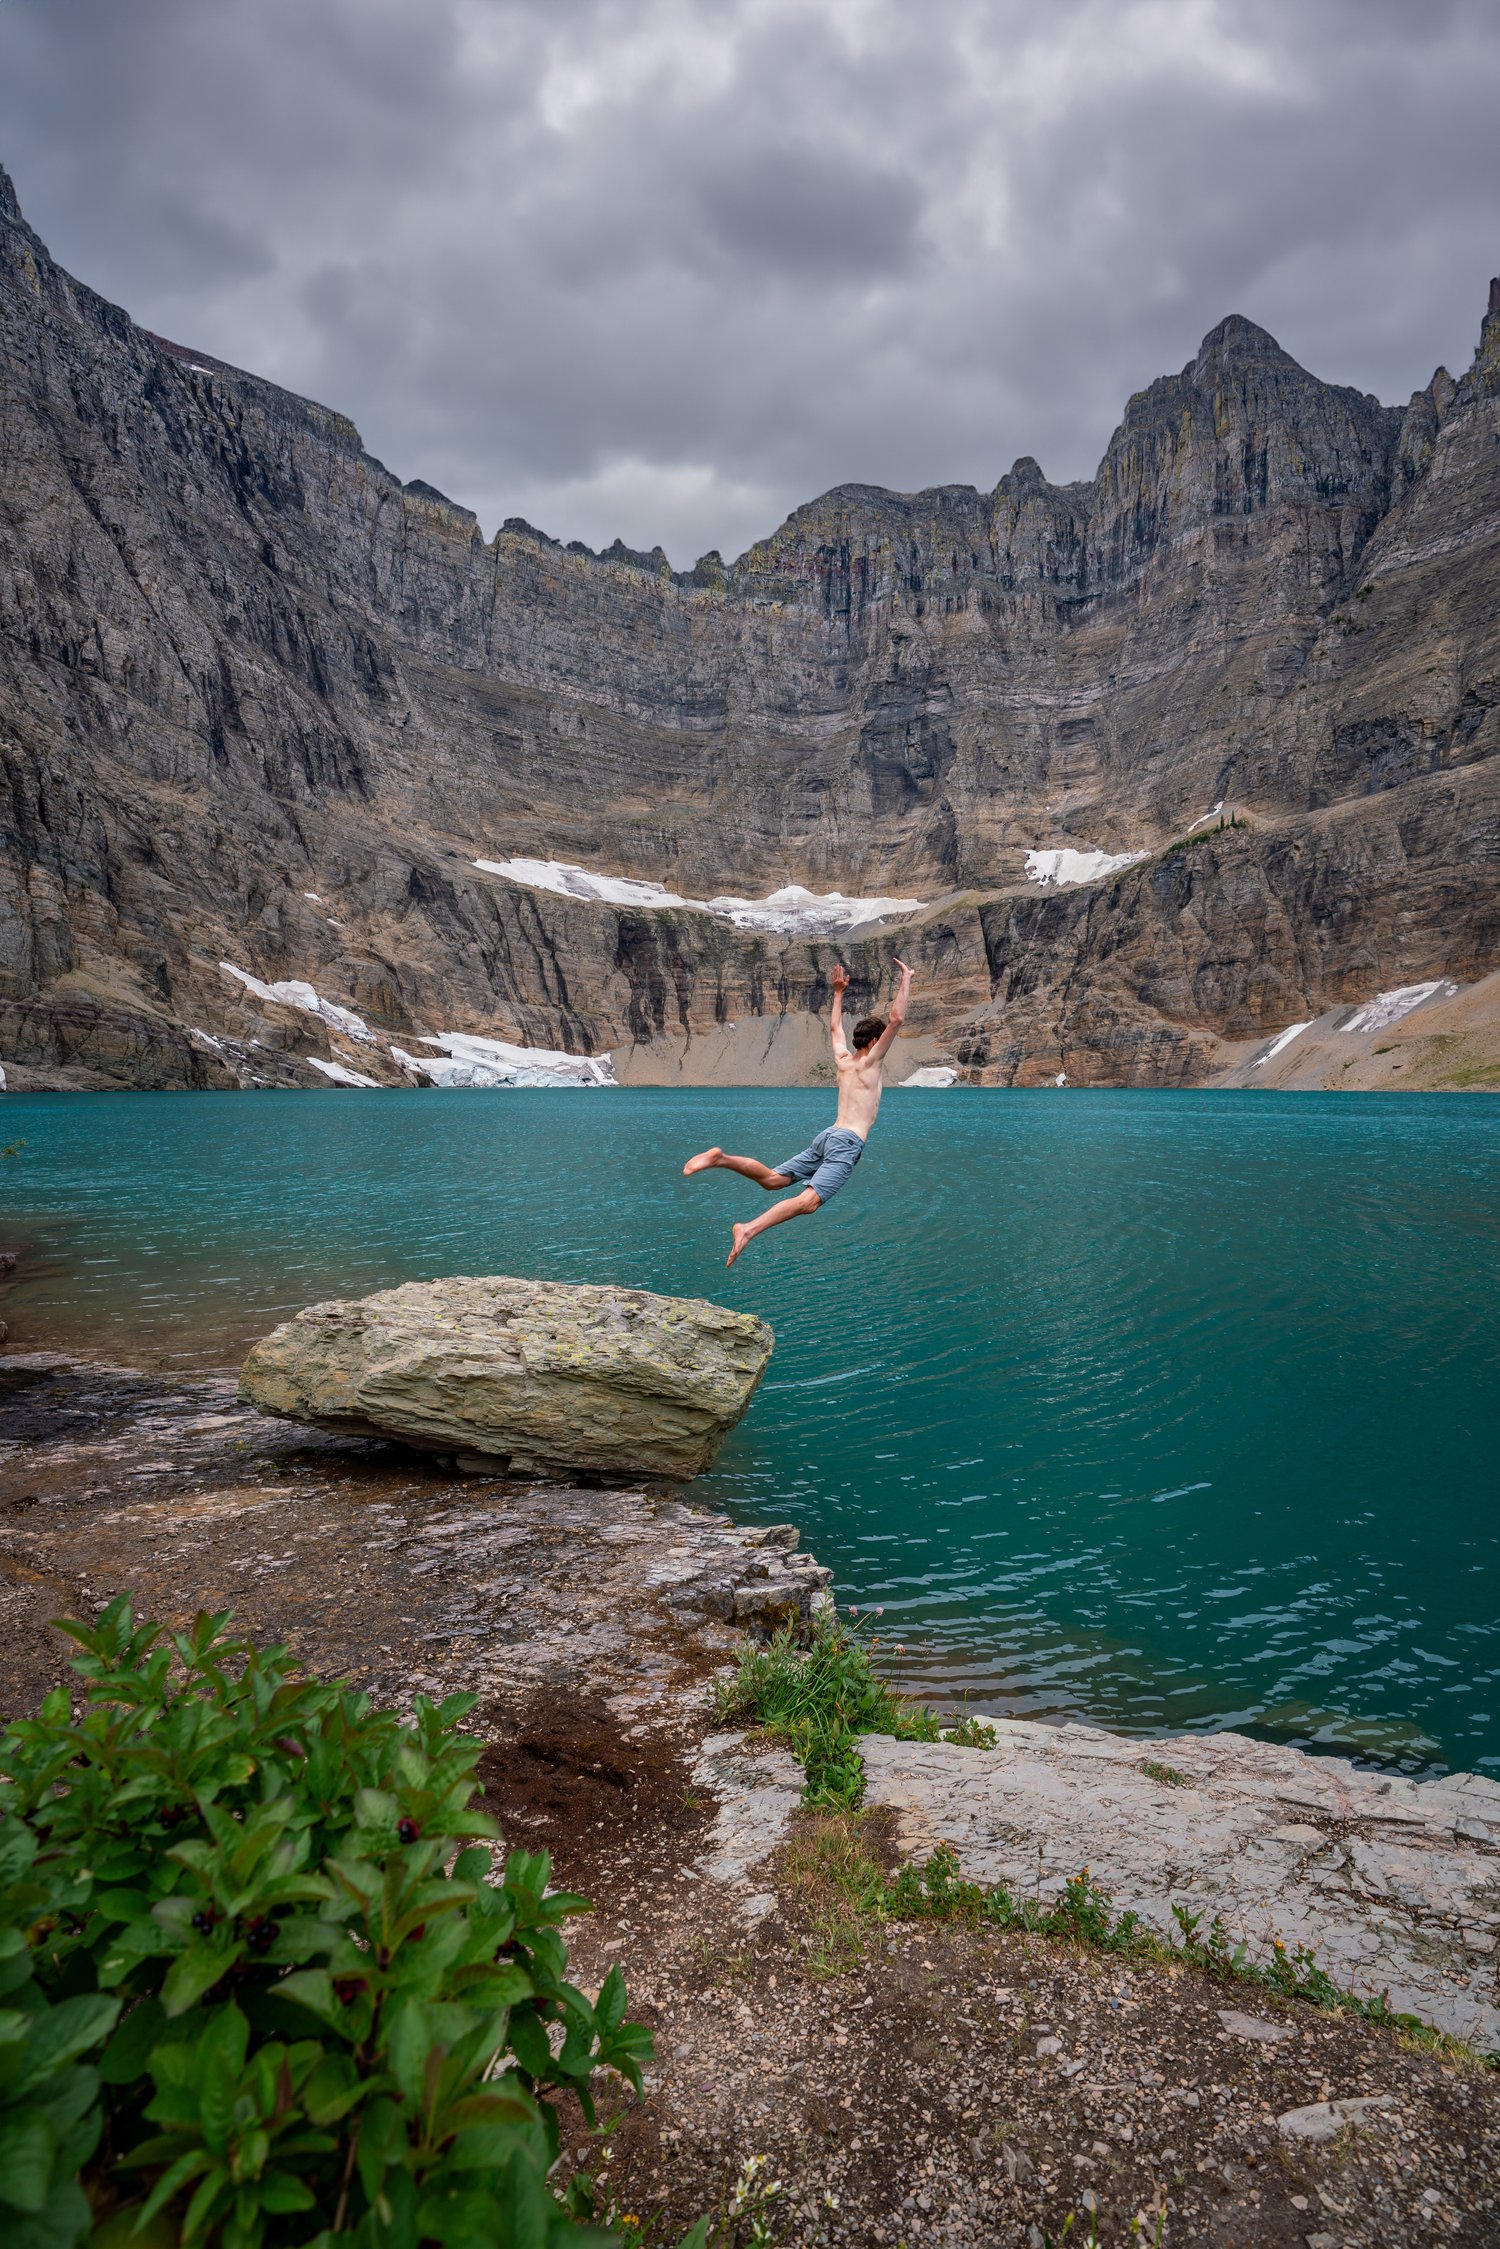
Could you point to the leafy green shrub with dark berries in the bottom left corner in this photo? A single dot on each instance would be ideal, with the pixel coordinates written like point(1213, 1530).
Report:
point(257, 1965)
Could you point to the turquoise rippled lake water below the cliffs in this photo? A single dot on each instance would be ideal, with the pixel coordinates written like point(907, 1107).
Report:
point(1162, 1409)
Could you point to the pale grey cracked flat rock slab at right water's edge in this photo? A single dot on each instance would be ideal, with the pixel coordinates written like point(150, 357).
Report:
point(1391, 1884)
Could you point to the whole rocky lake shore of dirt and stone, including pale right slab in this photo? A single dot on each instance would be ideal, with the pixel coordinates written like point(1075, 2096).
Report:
point(946, 2086)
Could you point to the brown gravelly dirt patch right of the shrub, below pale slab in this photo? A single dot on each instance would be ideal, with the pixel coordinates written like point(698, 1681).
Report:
point(961, 2090)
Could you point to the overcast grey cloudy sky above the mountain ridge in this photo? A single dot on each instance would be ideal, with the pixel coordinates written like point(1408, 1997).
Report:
point(665, 269)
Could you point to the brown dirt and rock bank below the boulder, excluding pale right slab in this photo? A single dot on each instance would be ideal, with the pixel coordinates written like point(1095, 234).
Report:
point(916, 2084)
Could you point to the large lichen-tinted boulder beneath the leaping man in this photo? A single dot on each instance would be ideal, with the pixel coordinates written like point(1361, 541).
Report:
point(527, 1373)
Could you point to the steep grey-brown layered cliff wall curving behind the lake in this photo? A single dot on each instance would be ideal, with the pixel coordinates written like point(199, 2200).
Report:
point(262, 703)
